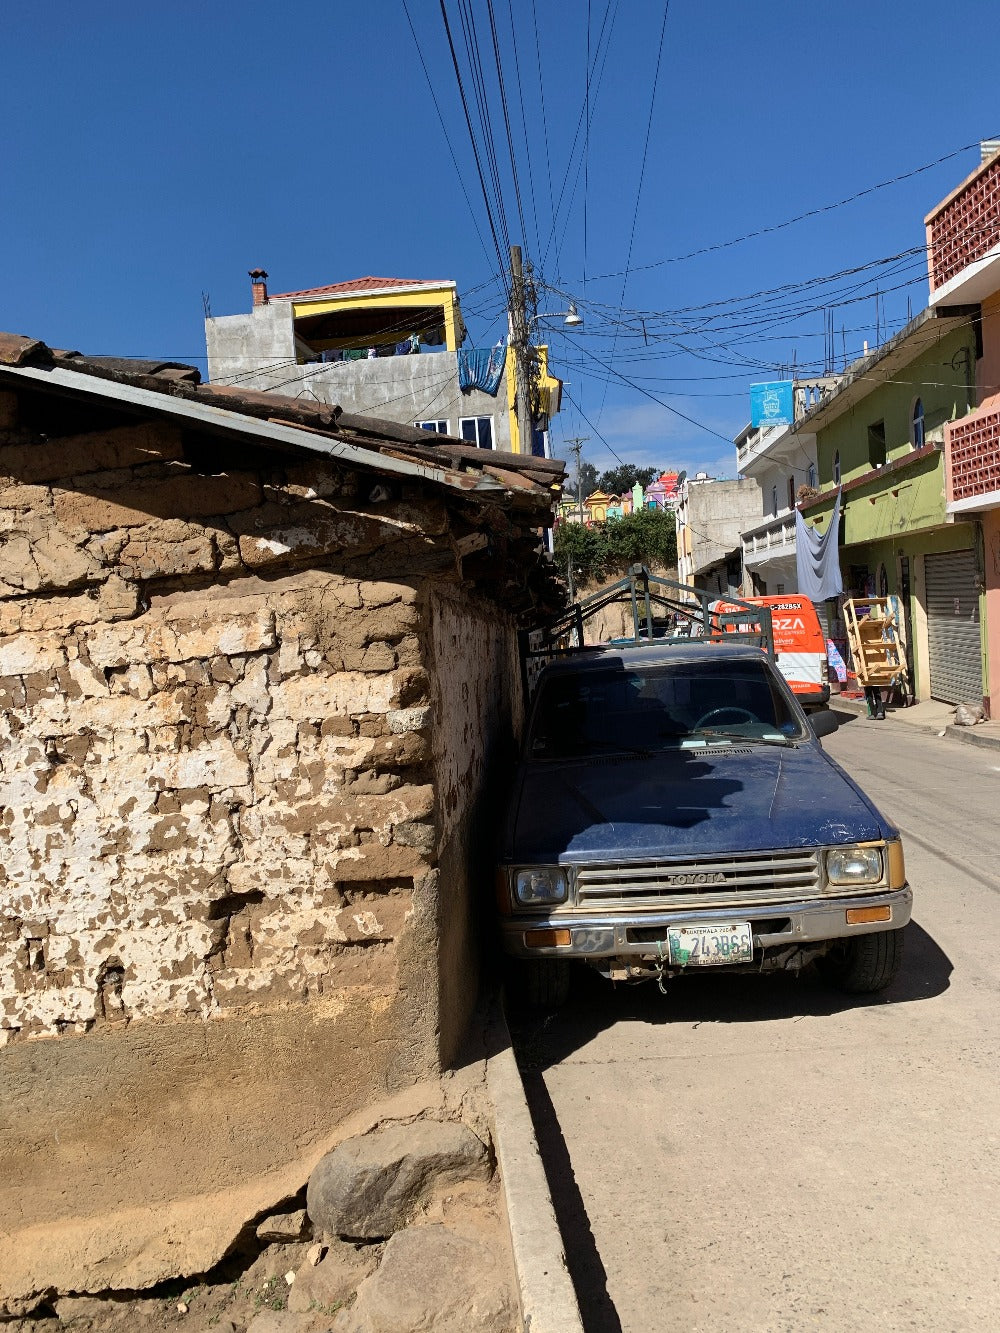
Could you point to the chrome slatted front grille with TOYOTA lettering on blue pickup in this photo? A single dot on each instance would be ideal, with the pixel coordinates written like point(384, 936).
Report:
point(707, 882)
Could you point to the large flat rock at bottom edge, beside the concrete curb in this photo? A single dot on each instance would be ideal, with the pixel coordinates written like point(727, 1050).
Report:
point(433, 1278)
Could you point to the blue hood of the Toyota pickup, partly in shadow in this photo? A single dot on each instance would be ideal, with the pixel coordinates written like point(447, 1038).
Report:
point(686, 803)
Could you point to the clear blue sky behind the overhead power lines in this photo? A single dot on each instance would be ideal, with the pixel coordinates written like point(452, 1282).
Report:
point(159, 153)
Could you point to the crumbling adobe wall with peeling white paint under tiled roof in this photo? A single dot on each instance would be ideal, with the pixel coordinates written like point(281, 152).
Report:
point(227, 855)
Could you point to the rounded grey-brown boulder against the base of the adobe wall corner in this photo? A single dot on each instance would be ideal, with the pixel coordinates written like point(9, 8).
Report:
point(371, 1187)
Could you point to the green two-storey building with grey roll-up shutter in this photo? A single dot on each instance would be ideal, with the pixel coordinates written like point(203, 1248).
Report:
point(879, 439)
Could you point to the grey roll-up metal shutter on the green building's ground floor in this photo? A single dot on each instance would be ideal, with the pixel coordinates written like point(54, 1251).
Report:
point(953, 629)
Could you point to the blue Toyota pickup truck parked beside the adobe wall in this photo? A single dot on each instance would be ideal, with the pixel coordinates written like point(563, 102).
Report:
point(674, 810)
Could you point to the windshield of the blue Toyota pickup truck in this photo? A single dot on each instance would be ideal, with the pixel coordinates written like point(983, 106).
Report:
point(642, 710)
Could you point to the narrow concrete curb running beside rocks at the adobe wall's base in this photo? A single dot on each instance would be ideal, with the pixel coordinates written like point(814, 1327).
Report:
point(547, 1295)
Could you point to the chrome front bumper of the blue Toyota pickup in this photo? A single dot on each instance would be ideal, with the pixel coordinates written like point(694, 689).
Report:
point(634, 935)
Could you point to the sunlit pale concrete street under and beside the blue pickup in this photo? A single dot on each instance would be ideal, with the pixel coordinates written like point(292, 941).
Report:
point(765, 1154)
